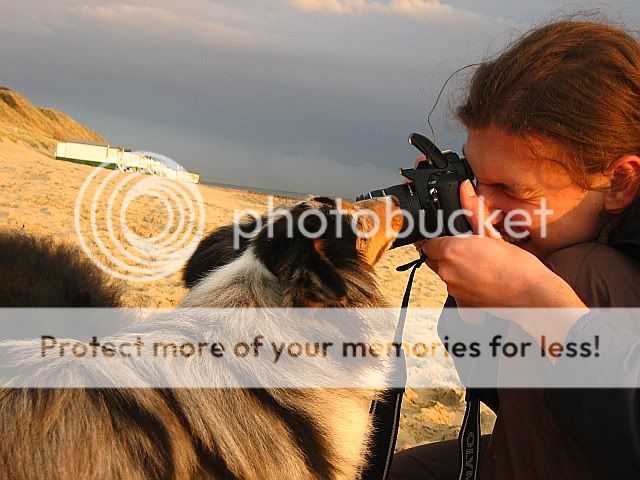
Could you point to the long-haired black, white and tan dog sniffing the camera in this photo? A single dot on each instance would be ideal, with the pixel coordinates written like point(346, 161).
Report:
point(233, 433)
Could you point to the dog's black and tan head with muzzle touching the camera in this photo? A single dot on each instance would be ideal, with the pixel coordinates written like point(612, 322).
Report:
point(321, 251)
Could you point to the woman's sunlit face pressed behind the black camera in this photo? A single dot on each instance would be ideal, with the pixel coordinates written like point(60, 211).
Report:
point(513, 177)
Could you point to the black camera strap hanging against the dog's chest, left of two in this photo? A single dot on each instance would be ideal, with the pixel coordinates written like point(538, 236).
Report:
point(385, 411)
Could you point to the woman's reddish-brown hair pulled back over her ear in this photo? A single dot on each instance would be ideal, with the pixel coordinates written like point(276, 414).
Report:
point(575, 82)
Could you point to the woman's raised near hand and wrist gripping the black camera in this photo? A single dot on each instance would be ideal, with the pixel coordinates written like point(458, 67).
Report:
point(486, 272)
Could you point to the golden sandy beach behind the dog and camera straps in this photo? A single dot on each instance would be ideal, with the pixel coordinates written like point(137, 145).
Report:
point(38, 194)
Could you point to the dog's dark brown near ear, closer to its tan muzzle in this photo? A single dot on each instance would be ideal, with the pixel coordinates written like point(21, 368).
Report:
point(306, 273)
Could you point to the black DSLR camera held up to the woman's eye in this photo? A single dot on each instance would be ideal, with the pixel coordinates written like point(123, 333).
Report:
point(432, 197)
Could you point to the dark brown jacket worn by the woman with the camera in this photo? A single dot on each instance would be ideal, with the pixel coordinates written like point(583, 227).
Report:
point(572, 433)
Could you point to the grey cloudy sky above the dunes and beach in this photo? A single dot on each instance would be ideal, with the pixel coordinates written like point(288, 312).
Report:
point(314, 96)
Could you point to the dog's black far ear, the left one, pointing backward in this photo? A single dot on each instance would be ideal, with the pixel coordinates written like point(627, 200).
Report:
point(216, 250)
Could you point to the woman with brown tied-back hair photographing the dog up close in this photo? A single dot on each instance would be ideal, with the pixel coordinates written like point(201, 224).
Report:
point(555, 118)
